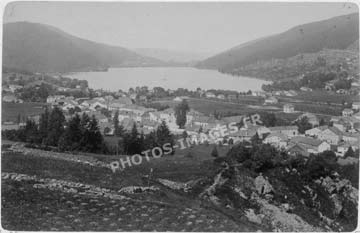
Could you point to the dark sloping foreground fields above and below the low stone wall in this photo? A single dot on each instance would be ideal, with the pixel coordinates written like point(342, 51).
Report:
point(26, 205)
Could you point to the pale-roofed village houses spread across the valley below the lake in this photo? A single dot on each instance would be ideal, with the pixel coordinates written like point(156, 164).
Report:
point(340, 134)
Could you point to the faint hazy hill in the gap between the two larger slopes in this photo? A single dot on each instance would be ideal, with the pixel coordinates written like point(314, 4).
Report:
point(172, 55)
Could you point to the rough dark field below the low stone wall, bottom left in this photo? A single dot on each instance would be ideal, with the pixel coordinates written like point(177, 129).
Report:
point(27, 208)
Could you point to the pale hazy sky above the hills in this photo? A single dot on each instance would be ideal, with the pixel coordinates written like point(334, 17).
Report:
point(198, 27)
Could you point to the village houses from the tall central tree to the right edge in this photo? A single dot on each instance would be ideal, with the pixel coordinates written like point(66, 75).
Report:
point(343, 133)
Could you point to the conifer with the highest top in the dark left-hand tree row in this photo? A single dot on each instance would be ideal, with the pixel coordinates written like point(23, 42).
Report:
point(55, 127)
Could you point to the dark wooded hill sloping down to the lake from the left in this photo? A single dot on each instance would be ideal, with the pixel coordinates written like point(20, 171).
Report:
point(42, 48)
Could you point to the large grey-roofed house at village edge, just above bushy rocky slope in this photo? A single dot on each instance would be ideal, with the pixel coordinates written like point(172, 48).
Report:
point(312, 145)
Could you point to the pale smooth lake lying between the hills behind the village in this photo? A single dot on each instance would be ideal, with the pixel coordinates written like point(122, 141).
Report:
point(168, 78)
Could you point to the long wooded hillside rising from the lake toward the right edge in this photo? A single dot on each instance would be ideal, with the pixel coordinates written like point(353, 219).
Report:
point(335, 33)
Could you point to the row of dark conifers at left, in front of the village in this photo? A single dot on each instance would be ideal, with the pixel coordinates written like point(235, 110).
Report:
point(77, 134)
